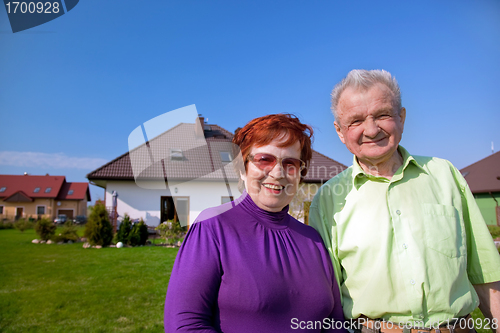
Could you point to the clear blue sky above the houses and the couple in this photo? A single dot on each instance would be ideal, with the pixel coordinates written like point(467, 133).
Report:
point(73, 89)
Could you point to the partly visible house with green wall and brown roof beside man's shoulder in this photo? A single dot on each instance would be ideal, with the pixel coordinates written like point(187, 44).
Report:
point(483, 178)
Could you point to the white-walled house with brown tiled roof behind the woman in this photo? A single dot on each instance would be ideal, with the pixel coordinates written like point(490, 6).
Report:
point(183, 171)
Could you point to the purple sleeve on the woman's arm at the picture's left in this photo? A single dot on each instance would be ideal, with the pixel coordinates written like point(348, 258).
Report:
point(191, 300)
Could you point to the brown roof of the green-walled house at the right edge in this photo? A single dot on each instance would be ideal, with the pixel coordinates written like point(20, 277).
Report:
point(484, 175)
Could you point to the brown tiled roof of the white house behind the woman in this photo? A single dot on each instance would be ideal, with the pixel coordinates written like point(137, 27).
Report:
point(200, 161)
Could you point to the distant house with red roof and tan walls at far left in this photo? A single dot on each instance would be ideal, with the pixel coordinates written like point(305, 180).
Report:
point(41, 196)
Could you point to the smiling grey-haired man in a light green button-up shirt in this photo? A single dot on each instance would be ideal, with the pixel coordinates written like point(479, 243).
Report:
point(407, 240)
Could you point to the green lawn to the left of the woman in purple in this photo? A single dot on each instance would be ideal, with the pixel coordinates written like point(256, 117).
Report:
point(65, 288)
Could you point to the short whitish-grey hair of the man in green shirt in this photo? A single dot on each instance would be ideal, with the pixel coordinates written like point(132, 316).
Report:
point(365, 79)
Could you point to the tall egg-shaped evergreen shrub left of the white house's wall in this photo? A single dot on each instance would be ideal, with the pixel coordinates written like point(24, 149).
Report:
point(98, 230)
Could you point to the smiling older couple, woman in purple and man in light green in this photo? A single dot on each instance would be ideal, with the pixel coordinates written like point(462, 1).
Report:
point(398, 246)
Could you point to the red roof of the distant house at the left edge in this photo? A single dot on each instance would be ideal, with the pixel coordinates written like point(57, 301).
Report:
point(33, 187)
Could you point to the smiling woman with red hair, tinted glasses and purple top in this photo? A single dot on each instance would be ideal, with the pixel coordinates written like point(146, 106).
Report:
point(253, 267)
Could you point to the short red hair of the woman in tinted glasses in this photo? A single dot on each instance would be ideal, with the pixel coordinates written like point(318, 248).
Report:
point(263, 130)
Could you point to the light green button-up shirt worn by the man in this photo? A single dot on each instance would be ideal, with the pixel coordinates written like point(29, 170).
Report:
point(407, 249)
